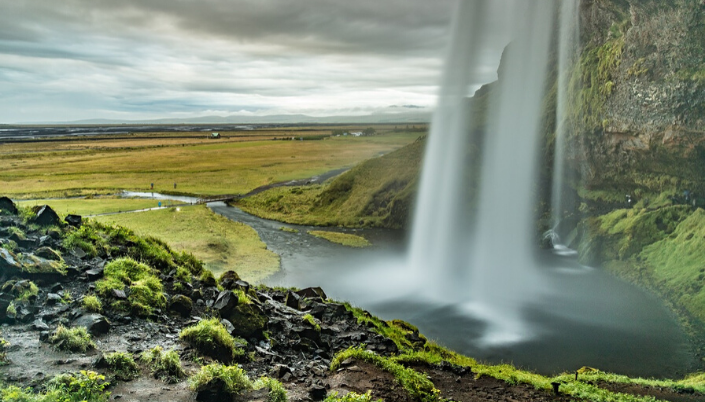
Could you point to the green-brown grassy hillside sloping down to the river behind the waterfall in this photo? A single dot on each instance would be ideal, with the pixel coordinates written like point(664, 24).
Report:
point(378, 192)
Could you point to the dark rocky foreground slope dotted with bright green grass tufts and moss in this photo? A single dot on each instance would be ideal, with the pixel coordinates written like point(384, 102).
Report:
point(97, 313)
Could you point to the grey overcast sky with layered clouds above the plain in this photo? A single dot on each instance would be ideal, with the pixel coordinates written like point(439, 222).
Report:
point(63, 60)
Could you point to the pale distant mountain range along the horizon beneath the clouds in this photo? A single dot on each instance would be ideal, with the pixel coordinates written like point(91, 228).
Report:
point(411, 117)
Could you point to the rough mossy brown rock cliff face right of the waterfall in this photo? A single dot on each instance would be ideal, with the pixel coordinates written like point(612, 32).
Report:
point(638, 98)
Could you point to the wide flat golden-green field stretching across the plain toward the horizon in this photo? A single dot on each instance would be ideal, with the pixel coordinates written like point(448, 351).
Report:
point(36, 170)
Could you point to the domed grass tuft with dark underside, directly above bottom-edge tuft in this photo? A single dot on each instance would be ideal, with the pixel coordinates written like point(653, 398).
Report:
point(211, 338)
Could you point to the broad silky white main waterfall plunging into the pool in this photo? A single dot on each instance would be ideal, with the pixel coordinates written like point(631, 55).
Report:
point(487, 265)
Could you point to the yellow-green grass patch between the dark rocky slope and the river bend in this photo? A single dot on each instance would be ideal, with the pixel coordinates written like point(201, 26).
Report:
point(221, 244)
